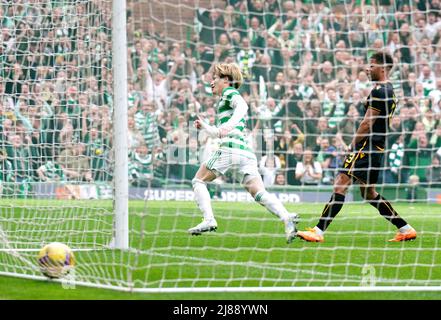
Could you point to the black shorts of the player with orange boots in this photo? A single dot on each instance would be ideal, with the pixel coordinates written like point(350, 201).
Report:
point(364, 165)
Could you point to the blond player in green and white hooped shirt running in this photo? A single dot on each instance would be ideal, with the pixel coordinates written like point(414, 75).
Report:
point(233, 154)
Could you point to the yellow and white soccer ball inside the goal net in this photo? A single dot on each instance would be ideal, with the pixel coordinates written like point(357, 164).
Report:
point(56, 260)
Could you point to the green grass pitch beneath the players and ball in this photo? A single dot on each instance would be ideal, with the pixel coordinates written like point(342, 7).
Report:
point(248, 249)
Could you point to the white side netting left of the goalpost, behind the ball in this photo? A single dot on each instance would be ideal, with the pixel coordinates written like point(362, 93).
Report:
point(56, 131)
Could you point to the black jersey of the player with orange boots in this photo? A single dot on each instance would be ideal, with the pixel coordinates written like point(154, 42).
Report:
point(383, 100)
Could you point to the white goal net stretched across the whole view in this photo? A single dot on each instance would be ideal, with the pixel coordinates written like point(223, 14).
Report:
point(305, 81)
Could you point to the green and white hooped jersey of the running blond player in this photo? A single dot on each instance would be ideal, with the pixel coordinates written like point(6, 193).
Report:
point(236, 140)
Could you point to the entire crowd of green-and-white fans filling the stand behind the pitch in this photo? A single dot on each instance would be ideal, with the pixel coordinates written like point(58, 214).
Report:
point(305, 82)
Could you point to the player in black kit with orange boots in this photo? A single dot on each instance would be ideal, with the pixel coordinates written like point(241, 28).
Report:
point(364, 161)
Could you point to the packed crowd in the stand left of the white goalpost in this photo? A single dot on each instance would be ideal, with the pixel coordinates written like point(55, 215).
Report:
point(55, 92)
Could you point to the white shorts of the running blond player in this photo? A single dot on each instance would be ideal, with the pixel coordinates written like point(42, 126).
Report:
point(224, 160)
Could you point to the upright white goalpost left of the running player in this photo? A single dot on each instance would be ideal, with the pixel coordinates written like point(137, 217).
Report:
point(121, 188)
